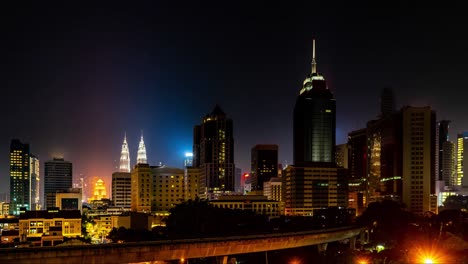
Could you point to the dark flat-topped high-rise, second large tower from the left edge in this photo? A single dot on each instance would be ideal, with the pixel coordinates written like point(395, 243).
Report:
point(58, 176)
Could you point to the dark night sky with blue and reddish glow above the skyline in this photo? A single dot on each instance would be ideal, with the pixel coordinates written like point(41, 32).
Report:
point(74, 78)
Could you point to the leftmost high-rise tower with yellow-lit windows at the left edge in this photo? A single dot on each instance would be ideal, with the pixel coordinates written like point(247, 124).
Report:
point(20, 185)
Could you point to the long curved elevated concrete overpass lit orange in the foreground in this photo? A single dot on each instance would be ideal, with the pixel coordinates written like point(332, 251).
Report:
point(161, 251)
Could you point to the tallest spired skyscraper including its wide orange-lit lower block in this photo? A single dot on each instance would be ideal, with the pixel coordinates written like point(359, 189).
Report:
point(314, 181)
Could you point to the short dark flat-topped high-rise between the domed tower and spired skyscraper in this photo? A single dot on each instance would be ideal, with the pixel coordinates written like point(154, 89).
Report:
point(264, 164)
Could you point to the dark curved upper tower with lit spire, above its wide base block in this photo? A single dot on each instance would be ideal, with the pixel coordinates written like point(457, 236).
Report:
point(314, 121)
